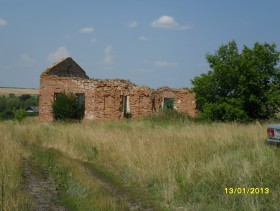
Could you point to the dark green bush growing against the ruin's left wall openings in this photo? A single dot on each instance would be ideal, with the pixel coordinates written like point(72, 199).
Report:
point(66, 107)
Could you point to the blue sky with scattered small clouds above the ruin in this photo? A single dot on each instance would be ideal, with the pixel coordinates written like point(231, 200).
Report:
point(151, 42)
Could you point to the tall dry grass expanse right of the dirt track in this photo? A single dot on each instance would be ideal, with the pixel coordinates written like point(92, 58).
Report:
point(178, 166)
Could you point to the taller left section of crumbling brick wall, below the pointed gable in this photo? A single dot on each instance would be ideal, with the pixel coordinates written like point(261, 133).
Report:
point(103, 99)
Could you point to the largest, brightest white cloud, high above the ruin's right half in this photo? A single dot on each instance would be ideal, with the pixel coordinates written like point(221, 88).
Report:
point(168, 22)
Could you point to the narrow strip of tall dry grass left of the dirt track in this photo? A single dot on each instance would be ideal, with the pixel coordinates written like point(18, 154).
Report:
point(12, 193)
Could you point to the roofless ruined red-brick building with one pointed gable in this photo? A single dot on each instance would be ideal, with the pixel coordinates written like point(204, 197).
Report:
point(109, 98)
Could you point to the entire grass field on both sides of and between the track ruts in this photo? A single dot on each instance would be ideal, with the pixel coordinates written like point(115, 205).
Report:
point(167, 165)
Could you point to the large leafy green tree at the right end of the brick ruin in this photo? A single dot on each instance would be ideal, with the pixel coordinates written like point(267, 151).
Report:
point(240, 86)
